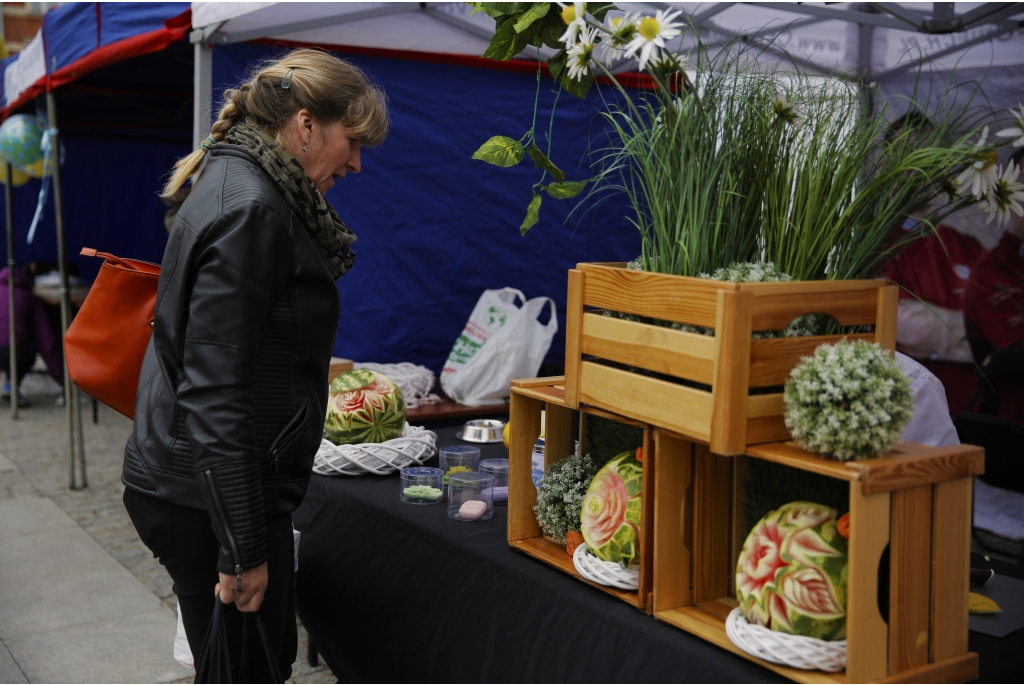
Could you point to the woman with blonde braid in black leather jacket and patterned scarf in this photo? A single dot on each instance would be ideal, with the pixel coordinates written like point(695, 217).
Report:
point(233, 392)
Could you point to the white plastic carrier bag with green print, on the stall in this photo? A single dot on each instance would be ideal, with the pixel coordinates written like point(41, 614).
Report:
point(502, 341)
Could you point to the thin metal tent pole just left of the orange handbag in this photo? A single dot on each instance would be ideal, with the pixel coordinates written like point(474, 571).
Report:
point(72, 406)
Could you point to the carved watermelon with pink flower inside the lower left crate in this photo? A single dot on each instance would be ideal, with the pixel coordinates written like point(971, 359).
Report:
point(611, 512)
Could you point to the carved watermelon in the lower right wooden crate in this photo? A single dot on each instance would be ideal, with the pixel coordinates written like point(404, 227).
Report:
point(792, 573)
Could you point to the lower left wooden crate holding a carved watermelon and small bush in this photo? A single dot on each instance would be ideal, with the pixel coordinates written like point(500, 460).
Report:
point(563, 426)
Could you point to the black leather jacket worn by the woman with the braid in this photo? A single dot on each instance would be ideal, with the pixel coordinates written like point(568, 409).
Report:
point(233, 392)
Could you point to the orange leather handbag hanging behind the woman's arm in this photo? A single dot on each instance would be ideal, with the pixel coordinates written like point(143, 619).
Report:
point(105, 345)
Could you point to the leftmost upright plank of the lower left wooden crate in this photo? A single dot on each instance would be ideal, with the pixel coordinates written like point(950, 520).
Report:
point(526, 417)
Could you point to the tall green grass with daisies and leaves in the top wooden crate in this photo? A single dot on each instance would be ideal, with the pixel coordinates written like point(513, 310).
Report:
point(732, 159)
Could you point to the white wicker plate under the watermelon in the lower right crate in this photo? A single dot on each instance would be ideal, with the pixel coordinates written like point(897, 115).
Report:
point(794, 651)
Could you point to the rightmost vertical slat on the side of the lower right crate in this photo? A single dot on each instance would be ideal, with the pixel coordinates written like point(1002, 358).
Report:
point(951, 568)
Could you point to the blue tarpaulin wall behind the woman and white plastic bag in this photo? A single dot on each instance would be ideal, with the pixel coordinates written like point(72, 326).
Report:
point(438, 228)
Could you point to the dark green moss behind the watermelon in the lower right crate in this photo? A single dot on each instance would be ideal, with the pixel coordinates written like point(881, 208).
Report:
point(771, 486)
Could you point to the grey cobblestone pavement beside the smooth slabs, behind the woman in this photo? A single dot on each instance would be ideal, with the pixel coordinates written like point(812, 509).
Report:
point(37, 445)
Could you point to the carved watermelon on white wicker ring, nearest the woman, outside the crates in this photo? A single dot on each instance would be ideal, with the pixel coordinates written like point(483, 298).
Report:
point(364, 407)
